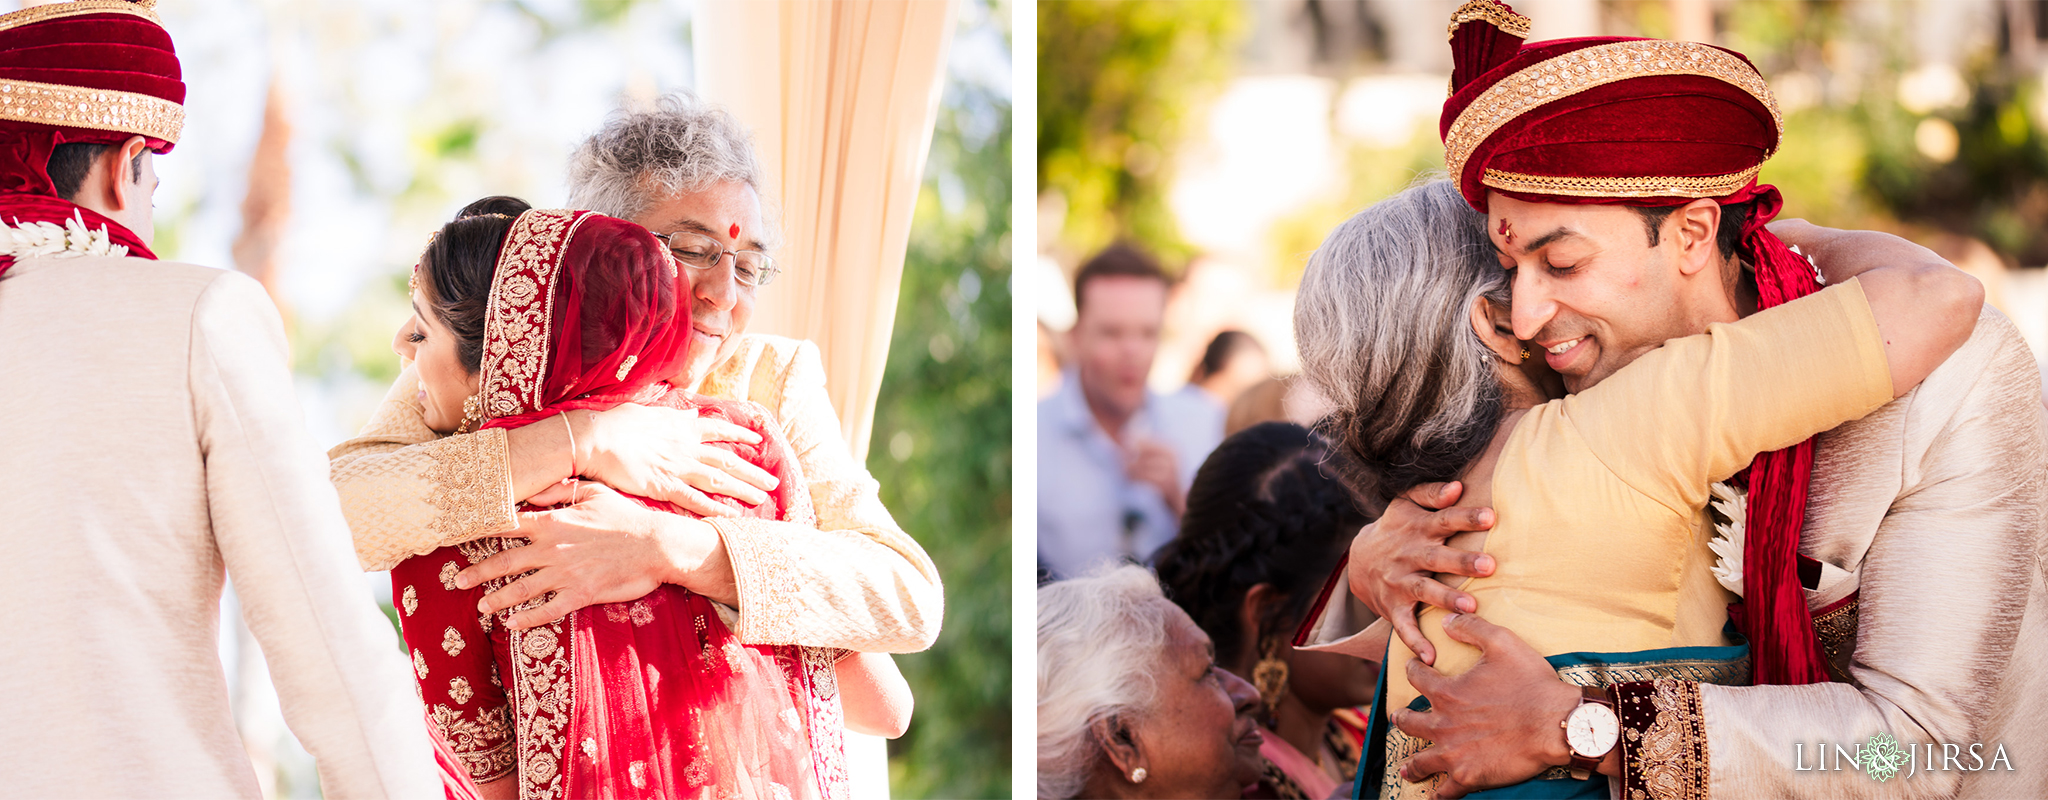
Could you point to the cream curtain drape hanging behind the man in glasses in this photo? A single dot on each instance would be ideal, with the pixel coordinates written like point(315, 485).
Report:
point(841, 99)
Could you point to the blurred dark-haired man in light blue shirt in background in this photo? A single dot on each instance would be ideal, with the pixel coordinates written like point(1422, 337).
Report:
point(1115, 459)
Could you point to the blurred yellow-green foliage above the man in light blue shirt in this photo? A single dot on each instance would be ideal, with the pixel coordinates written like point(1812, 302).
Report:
point(1119, 83)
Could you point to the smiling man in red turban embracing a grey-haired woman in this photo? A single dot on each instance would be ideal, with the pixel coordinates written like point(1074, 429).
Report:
point(1889, 568)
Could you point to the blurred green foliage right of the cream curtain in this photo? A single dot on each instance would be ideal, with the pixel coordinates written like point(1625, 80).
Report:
point(943, 443)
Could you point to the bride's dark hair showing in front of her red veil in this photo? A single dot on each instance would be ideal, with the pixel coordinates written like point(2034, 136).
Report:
point(458, 271)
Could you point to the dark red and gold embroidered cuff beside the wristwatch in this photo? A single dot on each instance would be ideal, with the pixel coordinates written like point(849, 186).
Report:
point(1664, 740)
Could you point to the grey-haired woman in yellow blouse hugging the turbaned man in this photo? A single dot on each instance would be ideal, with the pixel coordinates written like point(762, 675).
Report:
point(1603, 541)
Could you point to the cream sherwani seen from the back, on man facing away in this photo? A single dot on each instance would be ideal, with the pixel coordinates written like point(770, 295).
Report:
point(153, 439)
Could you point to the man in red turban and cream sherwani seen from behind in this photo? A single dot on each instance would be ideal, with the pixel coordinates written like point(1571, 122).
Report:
point(151, 427)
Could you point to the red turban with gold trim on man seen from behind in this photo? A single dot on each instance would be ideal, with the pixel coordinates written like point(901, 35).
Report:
point(81, 73)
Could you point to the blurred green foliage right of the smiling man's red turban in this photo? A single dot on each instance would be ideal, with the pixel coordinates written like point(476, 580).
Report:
point(1859, 159)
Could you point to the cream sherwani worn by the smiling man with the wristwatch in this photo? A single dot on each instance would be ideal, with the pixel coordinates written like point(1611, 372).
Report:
point(1930, 508)
